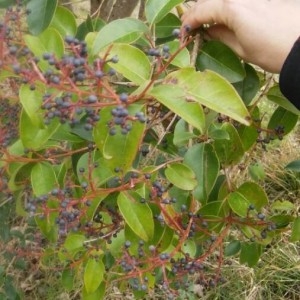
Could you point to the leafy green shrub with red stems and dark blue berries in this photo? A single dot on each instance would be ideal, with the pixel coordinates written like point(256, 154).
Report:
point(133, 163)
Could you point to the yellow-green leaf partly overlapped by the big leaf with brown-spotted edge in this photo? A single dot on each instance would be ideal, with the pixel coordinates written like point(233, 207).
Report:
point(174, 98)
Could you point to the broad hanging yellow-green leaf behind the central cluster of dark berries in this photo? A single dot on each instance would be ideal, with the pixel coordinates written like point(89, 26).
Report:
point(118, 150)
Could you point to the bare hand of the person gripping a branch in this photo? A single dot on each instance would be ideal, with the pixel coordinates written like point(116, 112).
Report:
point(261, 32)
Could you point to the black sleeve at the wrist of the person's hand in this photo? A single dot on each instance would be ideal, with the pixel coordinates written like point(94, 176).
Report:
point(289, 80)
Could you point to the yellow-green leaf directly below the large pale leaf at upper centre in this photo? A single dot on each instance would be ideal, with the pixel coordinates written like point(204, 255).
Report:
point(133, 64)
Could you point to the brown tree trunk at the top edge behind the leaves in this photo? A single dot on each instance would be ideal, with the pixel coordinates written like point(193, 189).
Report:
point(109, 10)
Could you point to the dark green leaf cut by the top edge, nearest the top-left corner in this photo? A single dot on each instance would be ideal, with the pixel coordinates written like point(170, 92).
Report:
point(41, 14)
